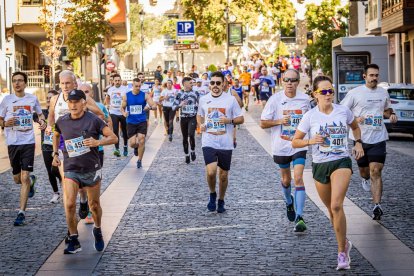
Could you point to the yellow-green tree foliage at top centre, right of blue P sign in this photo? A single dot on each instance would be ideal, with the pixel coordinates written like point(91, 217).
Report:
point(209, 16)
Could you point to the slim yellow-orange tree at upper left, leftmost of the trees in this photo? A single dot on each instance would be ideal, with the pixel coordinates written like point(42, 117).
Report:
point(52, 20)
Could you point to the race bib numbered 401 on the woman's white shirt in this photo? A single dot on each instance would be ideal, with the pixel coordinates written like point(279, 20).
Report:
point(335, 140)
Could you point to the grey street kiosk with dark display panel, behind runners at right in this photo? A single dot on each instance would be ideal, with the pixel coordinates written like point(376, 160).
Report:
point(349, 57)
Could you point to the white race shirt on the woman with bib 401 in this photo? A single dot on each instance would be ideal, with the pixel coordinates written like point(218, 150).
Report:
point(334, 127)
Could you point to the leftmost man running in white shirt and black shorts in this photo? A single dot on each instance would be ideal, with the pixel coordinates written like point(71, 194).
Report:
point(16, 116)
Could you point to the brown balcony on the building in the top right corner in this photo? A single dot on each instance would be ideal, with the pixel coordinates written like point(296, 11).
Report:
point(397, 16)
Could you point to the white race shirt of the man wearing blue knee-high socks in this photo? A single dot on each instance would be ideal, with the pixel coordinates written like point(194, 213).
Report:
point(278, 106)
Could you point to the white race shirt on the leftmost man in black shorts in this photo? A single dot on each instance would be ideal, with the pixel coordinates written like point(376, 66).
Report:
point(22, 108)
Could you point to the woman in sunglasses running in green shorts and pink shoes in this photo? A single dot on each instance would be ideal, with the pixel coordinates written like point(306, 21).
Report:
point(327, 124)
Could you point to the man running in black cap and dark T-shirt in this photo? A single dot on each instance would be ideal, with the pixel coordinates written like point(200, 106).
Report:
point(81, 131)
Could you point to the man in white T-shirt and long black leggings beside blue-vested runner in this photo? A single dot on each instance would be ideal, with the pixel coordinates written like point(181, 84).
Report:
point(113, 100)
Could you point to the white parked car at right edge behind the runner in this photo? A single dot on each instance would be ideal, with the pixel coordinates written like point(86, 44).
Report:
point(402, 102)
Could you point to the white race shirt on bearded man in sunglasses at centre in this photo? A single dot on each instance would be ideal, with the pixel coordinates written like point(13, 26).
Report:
point(218, 136)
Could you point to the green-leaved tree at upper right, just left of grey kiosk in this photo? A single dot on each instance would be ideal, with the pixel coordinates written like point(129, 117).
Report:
point(322, 20)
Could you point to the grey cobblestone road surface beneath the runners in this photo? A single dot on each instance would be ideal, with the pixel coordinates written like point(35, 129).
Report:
point(166, 228)
